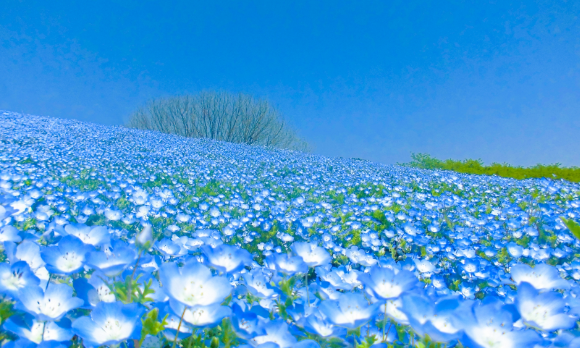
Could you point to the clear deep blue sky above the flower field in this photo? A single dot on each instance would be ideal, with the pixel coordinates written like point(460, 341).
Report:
point(496, 80)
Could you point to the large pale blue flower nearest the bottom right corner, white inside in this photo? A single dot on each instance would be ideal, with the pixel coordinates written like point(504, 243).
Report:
point(544, 311)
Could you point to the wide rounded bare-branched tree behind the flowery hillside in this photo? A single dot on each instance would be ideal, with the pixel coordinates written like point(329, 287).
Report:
point(220, 116)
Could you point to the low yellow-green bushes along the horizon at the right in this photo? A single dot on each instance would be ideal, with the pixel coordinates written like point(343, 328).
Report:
point(470, 166)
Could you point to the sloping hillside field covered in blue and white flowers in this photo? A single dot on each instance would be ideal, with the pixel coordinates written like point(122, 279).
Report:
point(124, 238)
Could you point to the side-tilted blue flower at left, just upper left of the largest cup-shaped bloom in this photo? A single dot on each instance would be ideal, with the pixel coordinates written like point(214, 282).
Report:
point(113, 260)
